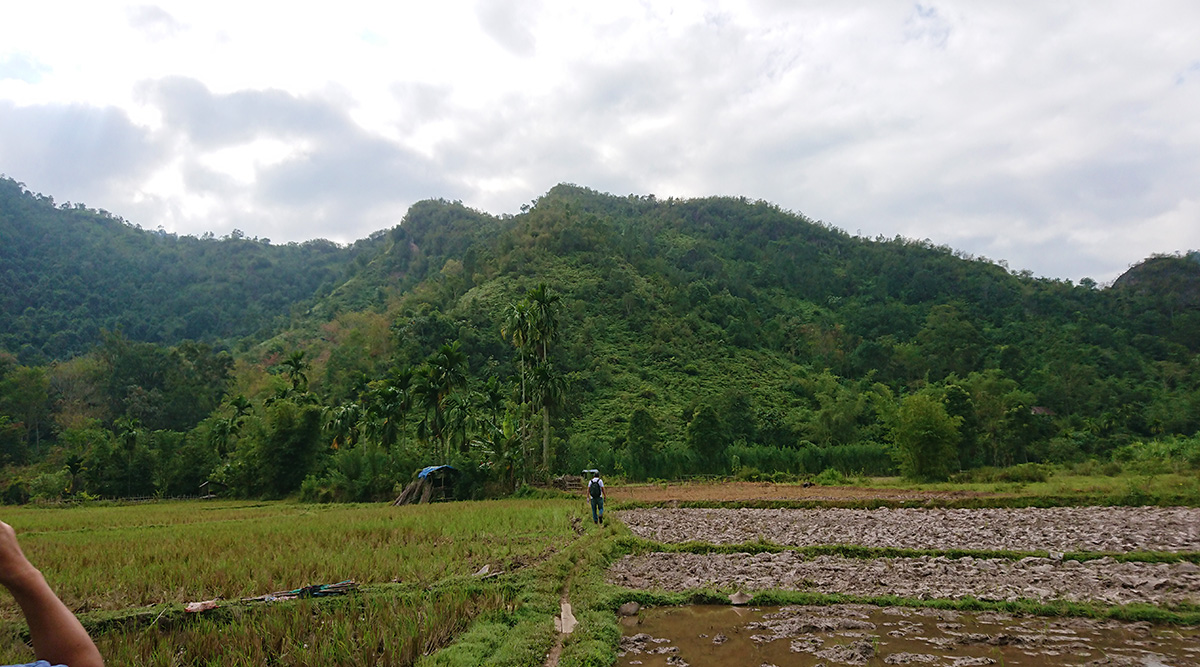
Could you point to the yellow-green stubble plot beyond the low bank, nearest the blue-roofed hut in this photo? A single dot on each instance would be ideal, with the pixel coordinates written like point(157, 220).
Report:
point(123, 557)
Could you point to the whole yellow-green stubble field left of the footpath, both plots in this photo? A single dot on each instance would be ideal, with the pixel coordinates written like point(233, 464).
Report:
point(128, 572)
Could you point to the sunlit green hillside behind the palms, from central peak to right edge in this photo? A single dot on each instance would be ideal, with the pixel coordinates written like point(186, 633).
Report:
point(791, 329)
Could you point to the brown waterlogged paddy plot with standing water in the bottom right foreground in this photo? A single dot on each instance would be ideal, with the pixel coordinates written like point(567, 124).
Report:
point(721, 636)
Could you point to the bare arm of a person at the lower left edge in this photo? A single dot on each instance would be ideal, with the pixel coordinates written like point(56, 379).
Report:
point(58, 636)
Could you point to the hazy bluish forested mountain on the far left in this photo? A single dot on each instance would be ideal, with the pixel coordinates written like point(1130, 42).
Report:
point(69, 272)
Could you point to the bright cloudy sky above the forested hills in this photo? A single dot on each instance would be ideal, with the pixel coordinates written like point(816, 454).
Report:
point(1061, 139)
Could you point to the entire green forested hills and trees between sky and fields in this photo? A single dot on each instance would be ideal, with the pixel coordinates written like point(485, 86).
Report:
point(653, 339)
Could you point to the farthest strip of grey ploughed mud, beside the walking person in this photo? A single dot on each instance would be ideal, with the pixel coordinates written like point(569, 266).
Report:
point(1055, 530)
